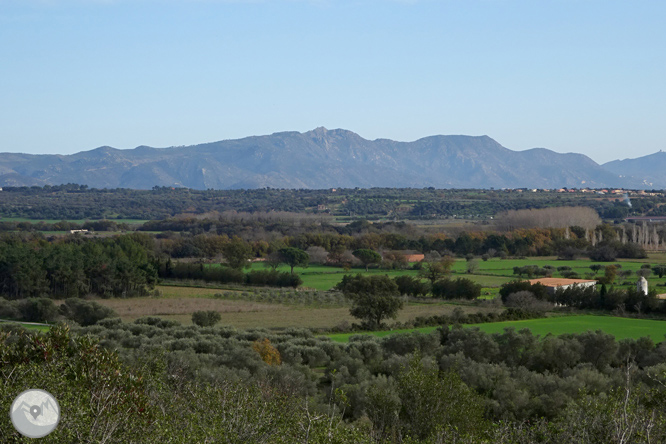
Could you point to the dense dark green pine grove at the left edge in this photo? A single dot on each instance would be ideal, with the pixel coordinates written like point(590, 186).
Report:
point(32, 267)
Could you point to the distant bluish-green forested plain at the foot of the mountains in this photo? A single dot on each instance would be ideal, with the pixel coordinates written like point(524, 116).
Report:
point(78, 202)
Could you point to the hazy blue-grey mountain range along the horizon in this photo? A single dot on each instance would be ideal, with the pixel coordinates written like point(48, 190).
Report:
point(324, 158)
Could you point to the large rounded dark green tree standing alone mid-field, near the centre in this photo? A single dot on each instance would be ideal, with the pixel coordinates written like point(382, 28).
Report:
point(374, 298)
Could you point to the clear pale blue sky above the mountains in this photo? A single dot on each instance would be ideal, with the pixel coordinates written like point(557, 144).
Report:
point(584, 76)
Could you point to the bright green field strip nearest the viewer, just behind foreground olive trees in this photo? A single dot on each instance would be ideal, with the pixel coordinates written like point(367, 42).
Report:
point(621, 328)
